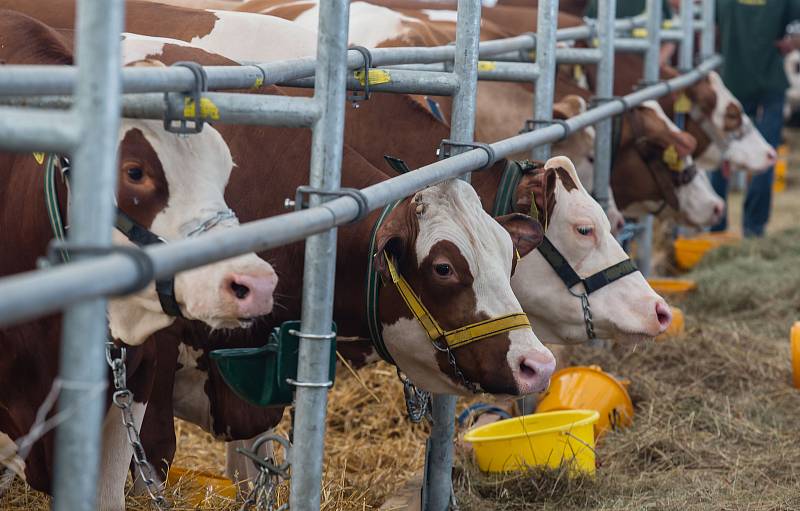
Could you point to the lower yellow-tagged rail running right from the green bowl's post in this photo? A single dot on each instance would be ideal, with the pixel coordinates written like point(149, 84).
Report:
point(401, 81)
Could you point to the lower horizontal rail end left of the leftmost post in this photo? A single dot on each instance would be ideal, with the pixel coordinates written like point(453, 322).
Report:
point(22, 129)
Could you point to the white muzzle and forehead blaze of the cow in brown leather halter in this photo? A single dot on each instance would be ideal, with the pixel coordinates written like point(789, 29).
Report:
point(698, 203)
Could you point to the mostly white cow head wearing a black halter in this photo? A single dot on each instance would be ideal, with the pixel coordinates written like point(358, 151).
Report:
point(627, 310)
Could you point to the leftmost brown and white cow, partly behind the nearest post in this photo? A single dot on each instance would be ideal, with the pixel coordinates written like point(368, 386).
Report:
point(169, 187)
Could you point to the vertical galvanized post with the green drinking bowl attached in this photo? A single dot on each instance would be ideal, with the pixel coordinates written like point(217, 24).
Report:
point(311, 396)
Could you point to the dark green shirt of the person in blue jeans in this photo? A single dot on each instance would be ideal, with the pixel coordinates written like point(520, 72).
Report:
point(748, 30)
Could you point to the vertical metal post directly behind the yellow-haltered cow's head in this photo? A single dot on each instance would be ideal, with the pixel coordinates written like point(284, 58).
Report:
point(438, 481)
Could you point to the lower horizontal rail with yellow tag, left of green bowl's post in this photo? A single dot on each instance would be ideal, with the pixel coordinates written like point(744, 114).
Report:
point(260, 109)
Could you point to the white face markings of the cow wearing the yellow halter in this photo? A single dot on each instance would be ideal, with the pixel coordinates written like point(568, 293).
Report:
point(453, 212)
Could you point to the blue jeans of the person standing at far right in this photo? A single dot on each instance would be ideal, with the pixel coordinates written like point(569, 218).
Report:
point(767, 115)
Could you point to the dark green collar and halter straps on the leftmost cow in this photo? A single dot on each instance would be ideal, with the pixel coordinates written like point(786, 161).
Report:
point(135, 232)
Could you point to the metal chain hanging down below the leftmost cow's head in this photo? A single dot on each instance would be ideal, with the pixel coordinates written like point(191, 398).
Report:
point(123, 399)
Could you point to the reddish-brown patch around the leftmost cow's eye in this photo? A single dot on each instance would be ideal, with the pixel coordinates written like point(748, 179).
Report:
point(144, 198)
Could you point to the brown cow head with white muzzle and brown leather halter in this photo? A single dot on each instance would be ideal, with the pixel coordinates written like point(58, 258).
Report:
point(657, 171)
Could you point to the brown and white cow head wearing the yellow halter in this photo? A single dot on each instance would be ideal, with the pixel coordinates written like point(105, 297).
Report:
point(458, 260)
